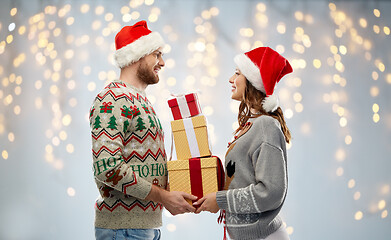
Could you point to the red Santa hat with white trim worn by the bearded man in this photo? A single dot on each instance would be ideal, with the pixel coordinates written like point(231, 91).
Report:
point(134, 42)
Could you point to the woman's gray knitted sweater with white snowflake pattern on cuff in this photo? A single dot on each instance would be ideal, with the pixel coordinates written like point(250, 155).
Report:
point(256, 180)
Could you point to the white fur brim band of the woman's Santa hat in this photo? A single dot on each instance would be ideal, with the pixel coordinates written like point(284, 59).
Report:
point(250, 71)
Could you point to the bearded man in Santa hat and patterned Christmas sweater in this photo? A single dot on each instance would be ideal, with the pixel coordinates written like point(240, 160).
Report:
point(129, 159)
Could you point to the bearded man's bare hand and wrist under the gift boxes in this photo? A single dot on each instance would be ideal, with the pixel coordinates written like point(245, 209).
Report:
point(174, 202)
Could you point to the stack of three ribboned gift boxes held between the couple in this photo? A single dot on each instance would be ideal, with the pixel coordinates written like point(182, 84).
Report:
point(195, 171)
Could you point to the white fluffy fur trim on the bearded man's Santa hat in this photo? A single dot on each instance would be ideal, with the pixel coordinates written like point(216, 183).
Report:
point(136, 50)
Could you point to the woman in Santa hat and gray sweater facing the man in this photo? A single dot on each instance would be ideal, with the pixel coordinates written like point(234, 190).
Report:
point(256, 160)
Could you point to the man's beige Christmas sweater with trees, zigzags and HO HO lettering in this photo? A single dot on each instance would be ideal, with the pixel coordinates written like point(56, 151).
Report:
point(128, 157)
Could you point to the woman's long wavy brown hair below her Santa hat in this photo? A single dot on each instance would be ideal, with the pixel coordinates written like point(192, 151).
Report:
point(252, 99)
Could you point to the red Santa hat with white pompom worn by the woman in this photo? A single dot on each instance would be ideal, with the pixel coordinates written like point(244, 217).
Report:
point(263, 67)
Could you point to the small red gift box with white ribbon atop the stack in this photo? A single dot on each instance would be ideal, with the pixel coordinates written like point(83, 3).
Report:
point(184, 106)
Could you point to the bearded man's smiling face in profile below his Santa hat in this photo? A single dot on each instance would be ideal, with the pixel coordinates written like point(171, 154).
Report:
point(149, 67)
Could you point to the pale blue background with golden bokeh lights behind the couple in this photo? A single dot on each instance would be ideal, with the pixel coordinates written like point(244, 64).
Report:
point(56, 55)
